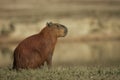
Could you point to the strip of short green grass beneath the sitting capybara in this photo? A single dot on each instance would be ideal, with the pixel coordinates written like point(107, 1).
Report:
point(63, 73)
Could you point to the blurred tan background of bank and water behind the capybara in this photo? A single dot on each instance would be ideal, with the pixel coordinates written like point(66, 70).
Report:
point(93, 36)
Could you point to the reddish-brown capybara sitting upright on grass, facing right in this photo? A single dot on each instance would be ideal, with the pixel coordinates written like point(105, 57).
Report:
point(33, 51)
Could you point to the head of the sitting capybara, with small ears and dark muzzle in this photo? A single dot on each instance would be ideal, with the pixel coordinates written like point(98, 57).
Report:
point(59, 29)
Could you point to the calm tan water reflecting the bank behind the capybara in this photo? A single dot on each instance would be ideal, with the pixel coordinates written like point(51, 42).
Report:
point(73, 53)
